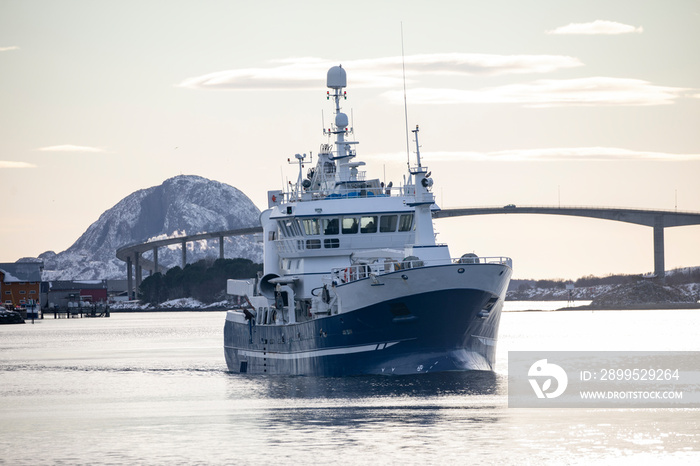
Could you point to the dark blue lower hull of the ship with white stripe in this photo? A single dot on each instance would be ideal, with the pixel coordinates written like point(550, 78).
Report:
point(445, 330)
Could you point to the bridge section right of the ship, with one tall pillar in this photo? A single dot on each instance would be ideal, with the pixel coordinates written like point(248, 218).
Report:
point(657, 219)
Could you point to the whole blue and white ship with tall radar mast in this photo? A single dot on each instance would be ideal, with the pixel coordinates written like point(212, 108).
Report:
point(354, 281)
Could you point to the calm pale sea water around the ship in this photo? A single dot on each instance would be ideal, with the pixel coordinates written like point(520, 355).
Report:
point(152, 388)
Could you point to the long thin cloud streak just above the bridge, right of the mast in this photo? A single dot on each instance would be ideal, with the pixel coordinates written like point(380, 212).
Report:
point(584, 154)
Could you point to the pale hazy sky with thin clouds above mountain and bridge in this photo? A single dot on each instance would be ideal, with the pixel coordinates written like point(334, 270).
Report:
point(576, 103)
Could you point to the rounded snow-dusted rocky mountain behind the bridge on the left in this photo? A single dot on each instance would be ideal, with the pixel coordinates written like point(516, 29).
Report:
point(181, 205)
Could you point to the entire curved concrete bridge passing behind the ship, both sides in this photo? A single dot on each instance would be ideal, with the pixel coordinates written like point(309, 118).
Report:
point(658, 219)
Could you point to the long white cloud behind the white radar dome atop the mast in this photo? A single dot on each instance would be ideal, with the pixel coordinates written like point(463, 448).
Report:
point(308, 73)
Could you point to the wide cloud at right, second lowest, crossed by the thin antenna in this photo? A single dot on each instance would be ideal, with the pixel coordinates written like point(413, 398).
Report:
point(593, 91)
